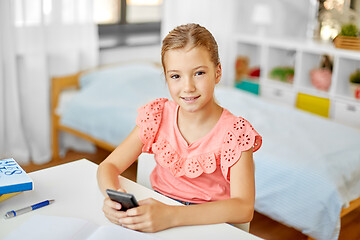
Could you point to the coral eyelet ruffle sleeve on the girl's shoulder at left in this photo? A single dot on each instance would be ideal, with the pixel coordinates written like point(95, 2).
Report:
point(148, 120)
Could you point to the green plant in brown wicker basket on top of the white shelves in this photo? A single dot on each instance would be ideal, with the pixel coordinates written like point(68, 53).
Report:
point(348, 38)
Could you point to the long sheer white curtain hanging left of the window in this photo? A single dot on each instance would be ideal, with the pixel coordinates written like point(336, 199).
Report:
point(39, 39)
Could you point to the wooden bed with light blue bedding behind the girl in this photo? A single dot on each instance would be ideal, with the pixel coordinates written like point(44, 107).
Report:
point(307, 170)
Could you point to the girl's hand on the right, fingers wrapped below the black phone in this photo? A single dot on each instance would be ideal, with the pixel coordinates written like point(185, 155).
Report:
point(150, 216)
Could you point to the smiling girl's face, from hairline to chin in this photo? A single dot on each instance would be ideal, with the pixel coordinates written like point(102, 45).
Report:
point(191, 77)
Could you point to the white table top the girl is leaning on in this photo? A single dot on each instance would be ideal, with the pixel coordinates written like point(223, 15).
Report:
point(75, 190)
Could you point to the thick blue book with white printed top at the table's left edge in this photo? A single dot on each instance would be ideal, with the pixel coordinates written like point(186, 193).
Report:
point(13, 178)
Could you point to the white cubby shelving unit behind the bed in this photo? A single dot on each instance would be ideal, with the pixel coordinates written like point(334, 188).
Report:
point(303, 56)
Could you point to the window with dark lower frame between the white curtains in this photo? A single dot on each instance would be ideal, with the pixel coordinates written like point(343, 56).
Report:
point(128, 22)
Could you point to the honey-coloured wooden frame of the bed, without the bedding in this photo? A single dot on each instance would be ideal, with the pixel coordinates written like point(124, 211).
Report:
point(59, 84)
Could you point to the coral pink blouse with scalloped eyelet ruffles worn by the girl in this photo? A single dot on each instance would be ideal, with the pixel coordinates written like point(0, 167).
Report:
point(199, 172)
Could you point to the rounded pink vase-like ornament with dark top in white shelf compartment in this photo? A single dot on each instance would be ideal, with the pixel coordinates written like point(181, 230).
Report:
point(321, 77)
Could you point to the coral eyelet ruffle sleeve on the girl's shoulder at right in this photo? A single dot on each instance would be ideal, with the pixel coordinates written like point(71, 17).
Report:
point(239, 138)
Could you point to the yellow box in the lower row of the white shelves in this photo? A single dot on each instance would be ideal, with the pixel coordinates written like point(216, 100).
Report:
point(313, 104)
